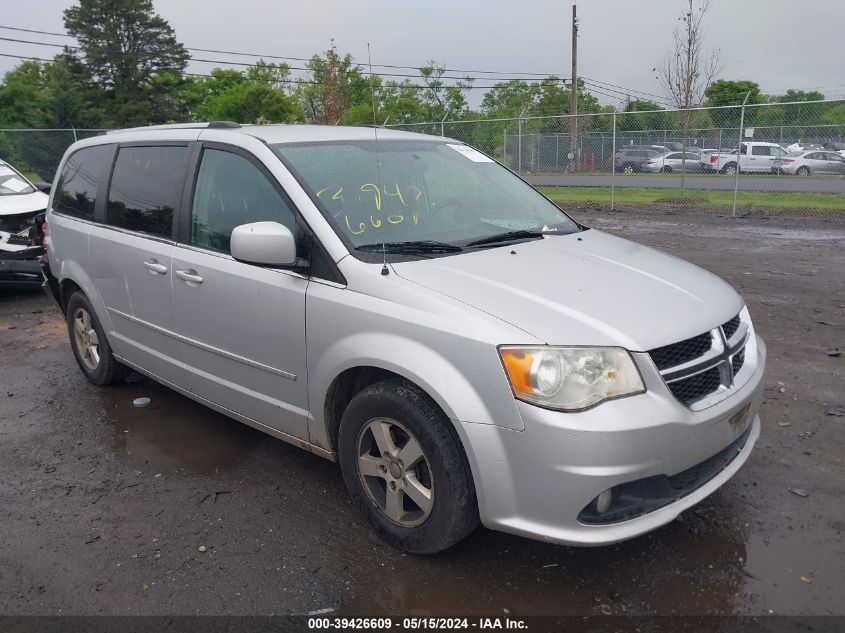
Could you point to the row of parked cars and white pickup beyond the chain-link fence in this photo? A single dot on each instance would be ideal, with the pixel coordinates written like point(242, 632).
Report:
point(752, 157)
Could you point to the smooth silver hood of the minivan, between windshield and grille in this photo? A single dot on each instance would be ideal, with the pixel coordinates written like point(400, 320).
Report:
point(587, 288)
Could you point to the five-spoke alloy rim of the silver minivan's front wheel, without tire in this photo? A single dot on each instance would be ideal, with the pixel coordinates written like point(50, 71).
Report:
point(395, 472)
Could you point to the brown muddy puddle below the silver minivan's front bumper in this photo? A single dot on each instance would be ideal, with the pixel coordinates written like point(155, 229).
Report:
point(493, 572)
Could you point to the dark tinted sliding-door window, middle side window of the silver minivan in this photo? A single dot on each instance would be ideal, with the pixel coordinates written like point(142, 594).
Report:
point(146, 187)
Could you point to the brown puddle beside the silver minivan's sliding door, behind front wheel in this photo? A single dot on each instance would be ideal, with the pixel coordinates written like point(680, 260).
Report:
point(174, 432)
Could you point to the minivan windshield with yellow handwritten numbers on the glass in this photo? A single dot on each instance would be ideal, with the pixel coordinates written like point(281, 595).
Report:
point(429, 196)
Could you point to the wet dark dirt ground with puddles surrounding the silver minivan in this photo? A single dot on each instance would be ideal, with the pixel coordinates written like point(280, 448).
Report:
point(103, 507)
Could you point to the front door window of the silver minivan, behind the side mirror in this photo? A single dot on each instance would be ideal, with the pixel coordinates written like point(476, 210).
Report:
point(231, 191)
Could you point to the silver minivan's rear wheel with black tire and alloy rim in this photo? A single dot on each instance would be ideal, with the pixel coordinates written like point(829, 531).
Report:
point(90, 346)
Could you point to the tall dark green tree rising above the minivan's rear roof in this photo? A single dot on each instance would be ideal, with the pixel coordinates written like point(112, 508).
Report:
point(129, 57)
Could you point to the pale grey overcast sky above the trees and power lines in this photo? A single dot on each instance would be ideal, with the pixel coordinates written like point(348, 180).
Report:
point(778, 43)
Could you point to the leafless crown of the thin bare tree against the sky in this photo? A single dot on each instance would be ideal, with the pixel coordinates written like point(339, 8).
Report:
point(688, 68)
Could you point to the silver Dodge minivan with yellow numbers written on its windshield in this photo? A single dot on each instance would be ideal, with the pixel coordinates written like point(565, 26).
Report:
point(410, 308)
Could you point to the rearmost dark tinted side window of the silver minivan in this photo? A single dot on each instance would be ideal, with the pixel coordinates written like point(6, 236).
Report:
point(84, 173)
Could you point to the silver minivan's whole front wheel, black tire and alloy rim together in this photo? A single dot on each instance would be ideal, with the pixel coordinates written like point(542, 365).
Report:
point(404, 414)
